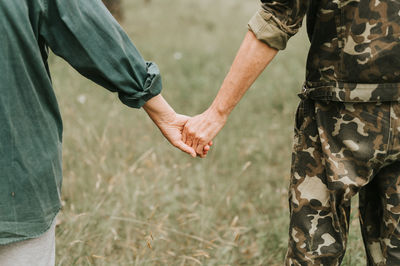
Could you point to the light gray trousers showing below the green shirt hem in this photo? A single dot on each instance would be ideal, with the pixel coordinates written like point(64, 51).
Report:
point(33, 252)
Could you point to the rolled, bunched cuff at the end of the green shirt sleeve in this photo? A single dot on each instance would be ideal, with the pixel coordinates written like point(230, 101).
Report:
point(152, 87)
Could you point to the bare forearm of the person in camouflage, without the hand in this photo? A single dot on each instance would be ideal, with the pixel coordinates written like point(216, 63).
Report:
point(252, 58)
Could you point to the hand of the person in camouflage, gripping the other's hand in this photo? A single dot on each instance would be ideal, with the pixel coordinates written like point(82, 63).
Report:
point(201, 129)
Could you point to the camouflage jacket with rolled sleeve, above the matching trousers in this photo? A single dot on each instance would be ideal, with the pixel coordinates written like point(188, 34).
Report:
point(355, 45)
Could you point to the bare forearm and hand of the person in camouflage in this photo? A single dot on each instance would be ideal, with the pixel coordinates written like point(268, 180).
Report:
point(252, 58)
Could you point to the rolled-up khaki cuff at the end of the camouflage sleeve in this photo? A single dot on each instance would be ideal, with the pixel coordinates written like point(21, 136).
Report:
point(267, 30)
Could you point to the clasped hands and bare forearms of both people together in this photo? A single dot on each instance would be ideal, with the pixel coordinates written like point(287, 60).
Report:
point(197, 132)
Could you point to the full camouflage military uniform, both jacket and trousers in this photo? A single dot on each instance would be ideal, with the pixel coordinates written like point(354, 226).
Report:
point(347, 130)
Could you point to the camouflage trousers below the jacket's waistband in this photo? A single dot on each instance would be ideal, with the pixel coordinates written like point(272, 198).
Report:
point(342, 149)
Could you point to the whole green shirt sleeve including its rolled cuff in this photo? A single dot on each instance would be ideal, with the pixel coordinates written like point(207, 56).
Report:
point(86, 35)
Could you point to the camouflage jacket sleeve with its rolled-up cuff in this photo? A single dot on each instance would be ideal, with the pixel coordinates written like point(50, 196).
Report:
point(278, 20)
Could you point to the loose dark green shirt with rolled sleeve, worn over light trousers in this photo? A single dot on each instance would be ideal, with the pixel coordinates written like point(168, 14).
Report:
point(85, 34)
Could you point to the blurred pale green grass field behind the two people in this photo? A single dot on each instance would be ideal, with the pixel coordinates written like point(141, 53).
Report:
point(130, 198)
